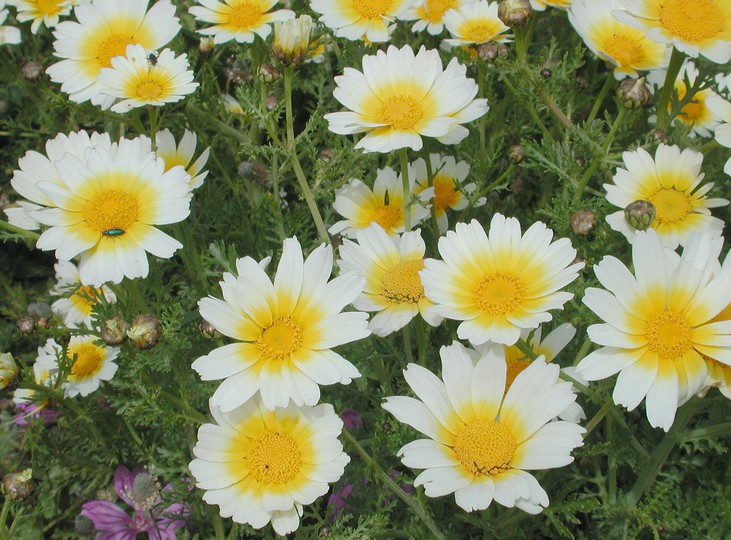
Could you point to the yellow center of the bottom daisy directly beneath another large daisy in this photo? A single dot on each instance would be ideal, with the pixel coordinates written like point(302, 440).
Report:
point(274, 458)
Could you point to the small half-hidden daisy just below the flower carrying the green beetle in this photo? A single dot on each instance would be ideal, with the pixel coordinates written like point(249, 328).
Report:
point(77, 305)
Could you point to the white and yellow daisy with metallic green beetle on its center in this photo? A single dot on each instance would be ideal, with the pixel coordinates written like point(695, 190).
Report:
point(107, 207)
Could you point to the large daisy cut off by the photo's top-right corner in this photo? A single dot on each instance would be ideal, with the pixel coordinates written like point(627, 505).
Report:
point(692, 26)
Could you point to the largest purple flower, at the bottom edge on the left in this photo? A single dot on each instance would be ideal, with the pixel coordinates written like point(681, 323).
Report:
point(139, 490)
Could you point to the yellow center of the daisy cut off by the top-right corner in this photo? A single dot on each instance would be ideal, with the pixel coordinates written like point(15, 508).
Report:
point(693, 21)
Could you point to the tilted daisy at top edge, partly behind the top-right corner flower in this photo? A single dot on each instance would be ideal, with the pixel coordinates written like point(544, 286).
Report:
point(625, 47)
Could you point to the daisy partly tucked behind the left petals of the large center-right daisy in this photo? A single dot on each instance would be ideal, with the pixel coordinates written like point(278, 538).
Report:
point(391, 267)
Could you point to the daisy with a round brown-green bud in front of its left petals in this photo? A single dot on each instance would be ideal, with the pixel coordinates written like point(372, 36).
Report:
point(670, 182)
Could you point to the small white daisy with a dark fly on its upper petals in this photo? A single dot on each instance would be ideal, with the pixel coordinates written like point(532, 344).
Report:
point(146, 78)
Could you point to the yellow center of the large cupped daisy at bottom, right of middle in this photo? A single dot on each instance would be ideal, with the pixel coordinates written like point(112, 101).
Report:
point(485, 447)
